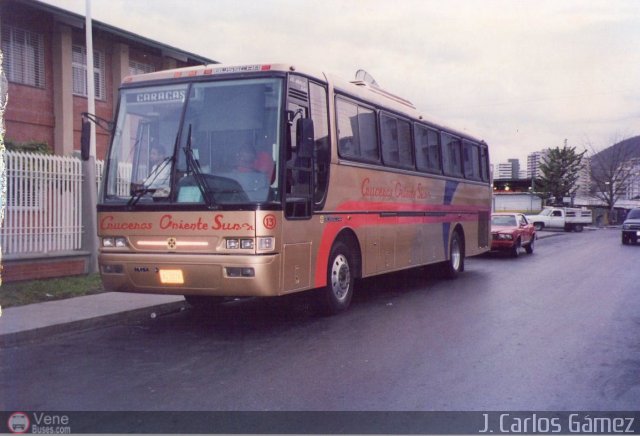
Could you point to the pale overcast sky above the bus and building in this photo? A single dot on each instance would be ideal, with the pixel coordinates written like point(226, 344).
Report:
point(522, 75)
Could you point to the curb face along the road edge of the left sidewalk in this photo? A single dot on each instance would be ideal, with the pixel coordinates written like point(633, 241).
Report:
point(46, 332)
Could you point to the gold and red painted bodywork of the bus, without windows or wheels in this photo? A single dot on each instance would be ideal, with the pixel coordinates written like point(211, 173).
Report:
point(398, 219)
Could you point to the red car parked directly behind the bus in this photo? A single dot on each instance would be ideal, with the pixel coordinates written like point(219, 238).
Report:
point(510, 231)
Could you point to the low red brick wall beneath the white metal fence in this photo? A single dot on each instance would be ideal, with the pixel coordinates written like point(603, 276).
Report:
point(42, 269)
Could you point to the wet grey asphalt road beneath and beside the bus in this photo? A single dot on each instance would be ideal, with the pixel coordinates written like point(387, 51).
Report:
point(556, 330)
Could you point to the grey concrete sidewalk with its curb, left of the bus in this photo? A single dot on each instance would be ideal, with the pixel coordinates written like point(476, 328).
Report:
point(37, 321)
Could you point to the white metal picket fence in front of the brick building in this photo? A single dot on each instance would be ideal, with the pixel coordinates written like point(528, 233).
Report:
point(43, 209)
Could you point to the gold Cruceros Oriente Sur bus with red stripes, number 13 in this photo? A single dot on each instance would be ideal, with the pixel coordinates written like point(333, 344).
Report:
point(341, 180)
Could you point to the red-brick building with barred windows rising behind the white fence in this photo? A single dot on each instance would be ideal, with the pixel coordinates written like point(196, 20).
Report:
point(45, 64)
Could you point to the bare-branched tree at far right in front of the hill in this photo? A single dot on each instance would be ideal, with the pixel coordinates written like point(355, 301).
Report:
point(611, 171)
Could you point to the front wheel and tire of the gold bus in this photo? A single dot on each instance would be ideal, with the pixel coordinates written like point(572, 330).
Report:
point(336, 296)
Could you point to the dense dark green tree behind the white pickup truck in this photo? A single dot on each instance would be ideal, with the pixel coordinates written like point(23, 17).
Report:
point(560, 172)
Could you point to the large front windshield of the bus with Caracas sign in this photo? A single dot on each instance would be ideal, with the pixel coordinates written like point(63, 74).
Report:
point(215, 143)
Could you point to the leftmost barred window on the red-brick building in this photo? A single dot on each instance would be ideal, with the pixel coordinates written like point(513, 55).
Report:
point(23, 56)
